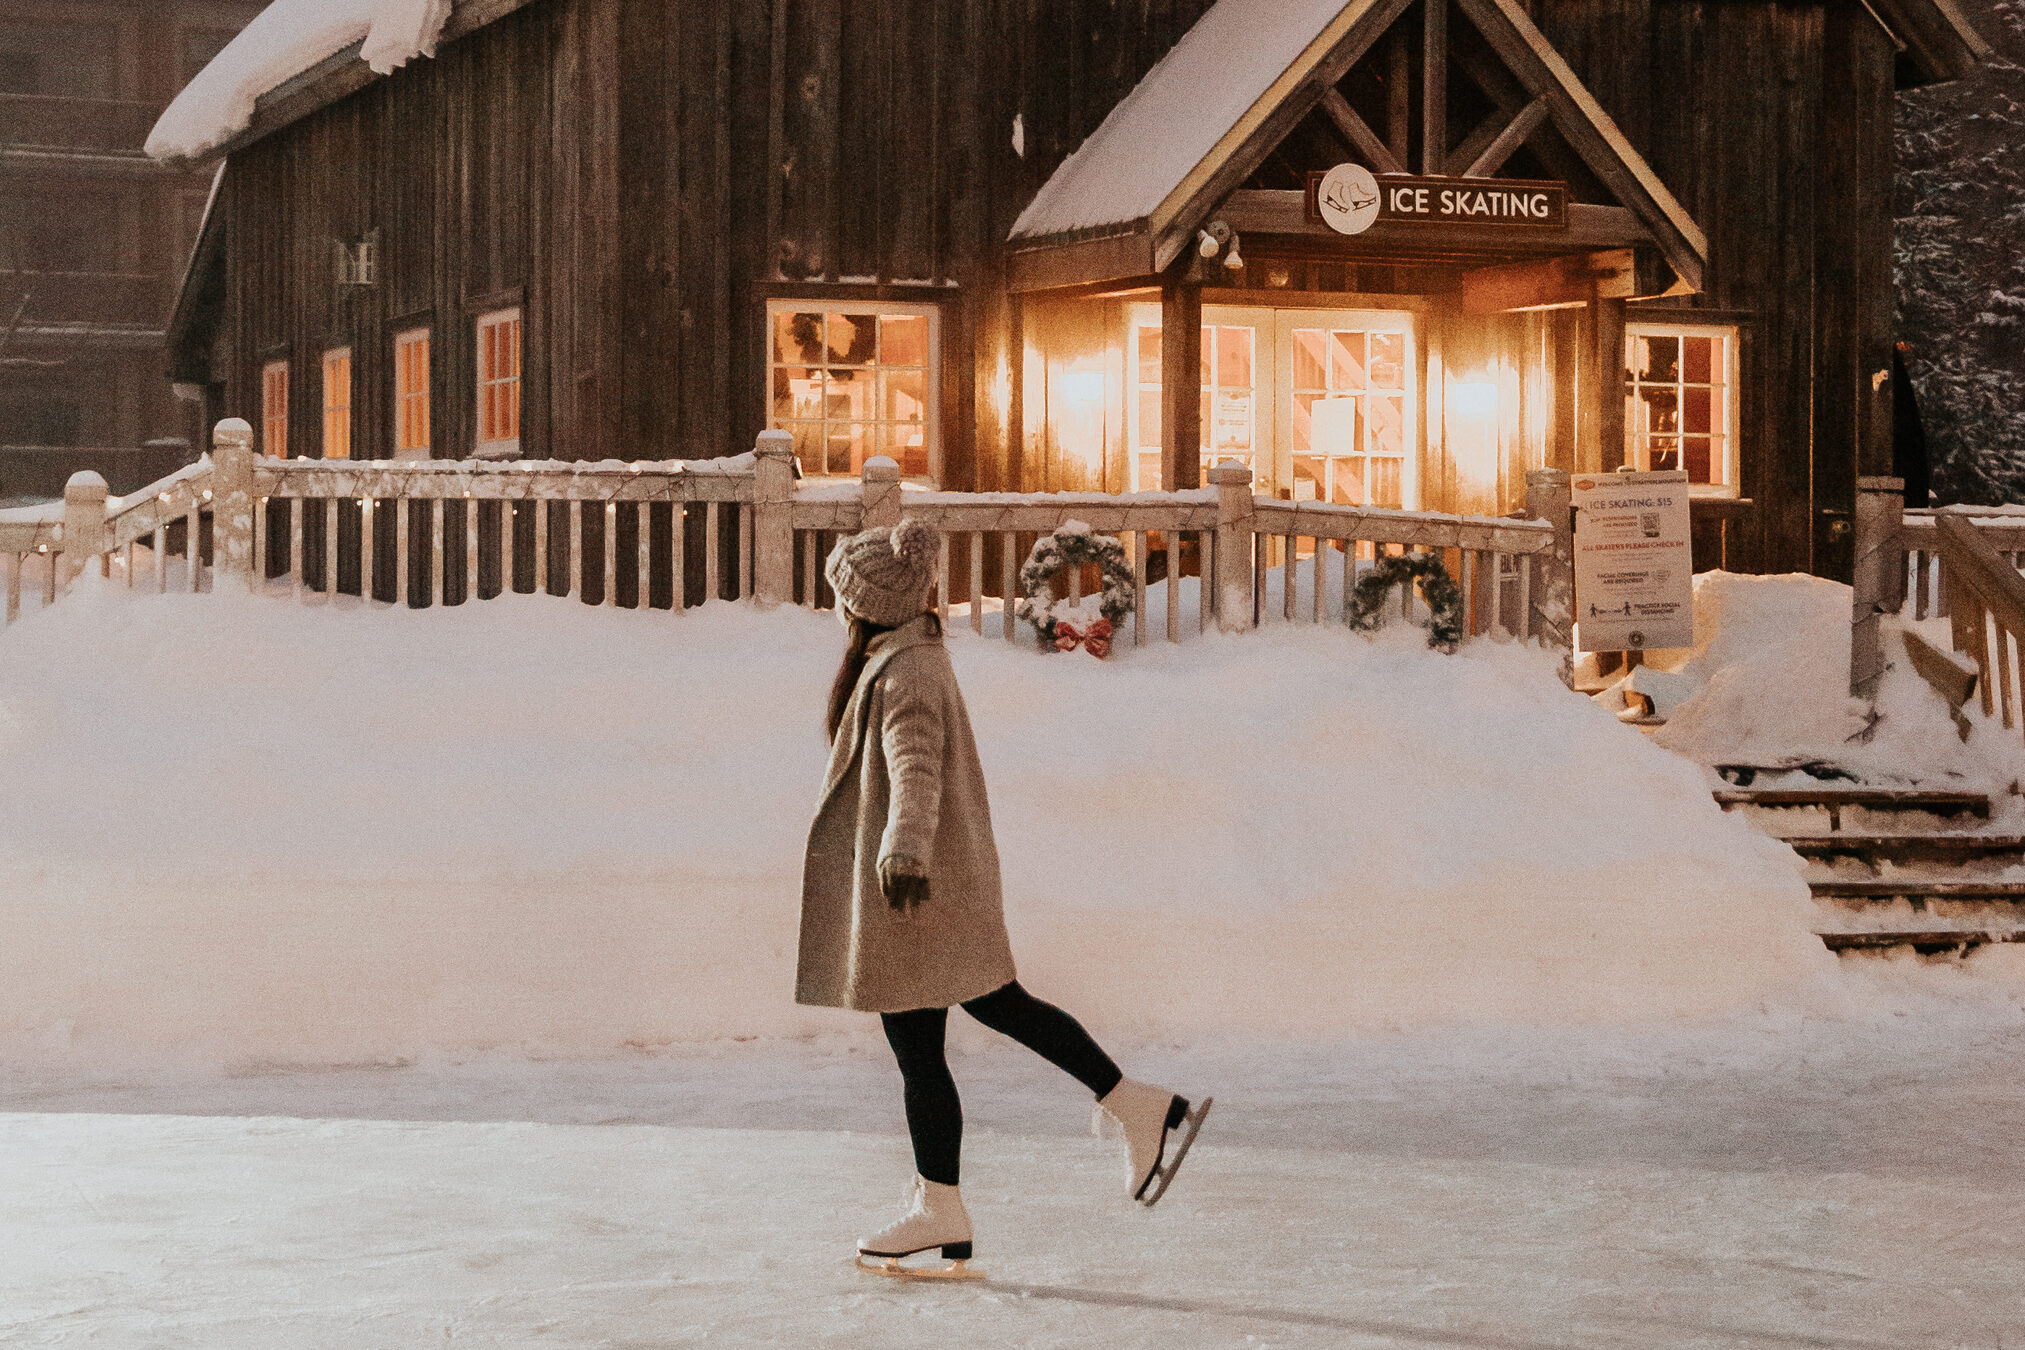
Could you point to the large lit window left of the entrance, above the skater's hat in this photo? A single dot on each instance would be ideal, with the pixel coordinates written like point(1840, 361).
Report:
point(856, 382)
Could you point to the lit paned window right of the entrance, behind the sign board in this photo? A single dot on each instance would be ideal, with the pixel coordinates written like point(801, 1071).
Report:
point(1680, 402)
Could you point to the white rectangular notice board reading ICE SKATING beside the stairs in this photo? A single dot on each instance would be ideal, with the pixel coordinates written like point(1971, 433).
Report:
point(1635, 576)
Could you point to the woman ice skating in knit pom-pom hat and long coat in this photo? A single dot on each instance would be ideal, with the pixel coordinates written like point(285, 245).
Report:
point(900, 900)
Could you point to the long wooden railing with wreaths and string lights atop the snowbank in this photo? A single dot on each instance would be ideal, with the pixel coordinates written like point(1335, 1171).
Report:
point(673, 535)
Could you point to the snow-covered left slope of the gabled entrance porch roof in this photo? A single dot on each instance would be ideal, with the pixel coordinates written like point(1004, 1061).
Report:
point(1184, 110)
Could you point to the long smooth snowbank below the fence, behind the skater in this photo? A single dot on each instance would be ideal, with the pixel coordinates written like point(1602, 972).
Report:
point(325, 833)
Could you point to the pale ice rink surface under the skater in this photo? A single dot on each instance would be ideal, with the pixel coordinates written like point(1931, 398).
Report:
point(1763, 1183)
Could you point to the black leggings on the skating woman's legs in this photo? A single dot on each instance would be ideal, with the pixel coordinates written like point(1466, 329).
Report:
point(935, 1114)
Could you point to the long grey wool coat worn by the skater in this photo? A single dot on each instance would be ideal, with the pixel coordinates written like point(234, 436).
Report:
point(904, 780)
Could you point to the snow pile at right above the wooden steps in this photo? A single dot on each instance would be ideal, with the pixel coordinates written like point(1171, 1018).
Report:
point(1769, 685)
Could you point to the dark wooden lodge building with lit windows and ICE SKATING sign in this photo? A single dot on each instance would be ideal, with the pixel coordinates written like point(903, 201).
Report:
point(1384, 252)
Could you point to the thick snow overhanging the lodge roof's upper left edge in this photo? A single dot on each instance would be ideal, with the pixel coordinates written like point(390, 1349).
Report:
point(285, 41)
